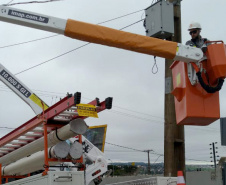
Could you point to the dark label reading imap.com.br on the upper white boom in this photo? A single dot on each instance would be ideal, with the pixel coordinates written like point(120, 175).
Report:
point(28, 16)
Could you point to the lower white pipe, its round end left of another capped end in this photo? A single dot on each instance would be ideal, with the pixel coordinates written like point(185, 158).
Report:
point(35, 162)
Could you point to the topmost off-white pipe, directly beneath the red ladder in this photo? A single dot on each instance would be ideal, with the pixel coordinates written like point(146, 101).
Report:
point(75, 127)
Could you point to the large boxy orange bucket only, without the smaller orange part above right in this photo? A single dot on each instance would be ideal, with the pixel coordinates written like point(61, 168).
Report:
point(194, 106)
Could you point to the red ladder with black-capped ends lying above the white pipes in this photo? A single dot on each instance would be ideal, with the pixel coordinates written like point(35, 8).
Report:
point(56, 116)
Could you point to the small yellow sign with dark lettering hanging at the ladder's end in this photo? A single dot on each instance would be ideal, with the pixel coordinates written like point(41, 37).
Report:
point(87, 110)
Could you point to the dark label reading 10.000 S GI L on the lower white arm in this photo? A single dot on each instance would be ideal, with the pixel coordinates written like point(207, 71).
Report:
point(15, 83)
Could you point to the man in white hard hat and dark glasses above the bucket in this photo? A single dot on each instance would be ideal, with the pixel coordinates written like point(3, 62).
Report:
point(196, 39)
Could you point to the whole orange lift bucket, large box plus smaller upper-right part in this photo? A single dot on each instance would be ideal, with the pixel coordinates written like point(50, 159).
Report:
point(197, 104)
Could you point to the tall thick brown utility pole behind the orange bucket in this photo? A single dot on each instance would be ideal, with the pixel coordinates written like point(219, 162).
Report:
point(174, 146)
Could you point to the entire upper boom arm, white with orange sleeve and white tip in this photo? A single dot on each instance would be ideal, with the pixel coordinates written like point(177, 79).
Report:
point(102, 35)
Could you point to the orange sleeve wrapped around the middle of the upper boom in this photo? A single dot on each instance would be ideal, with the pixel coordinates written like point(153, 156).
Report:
point(120, 39)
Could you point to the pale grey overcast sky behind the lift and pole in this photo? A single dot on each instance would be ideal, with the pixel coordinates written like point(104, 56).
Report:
point(137, 117)
